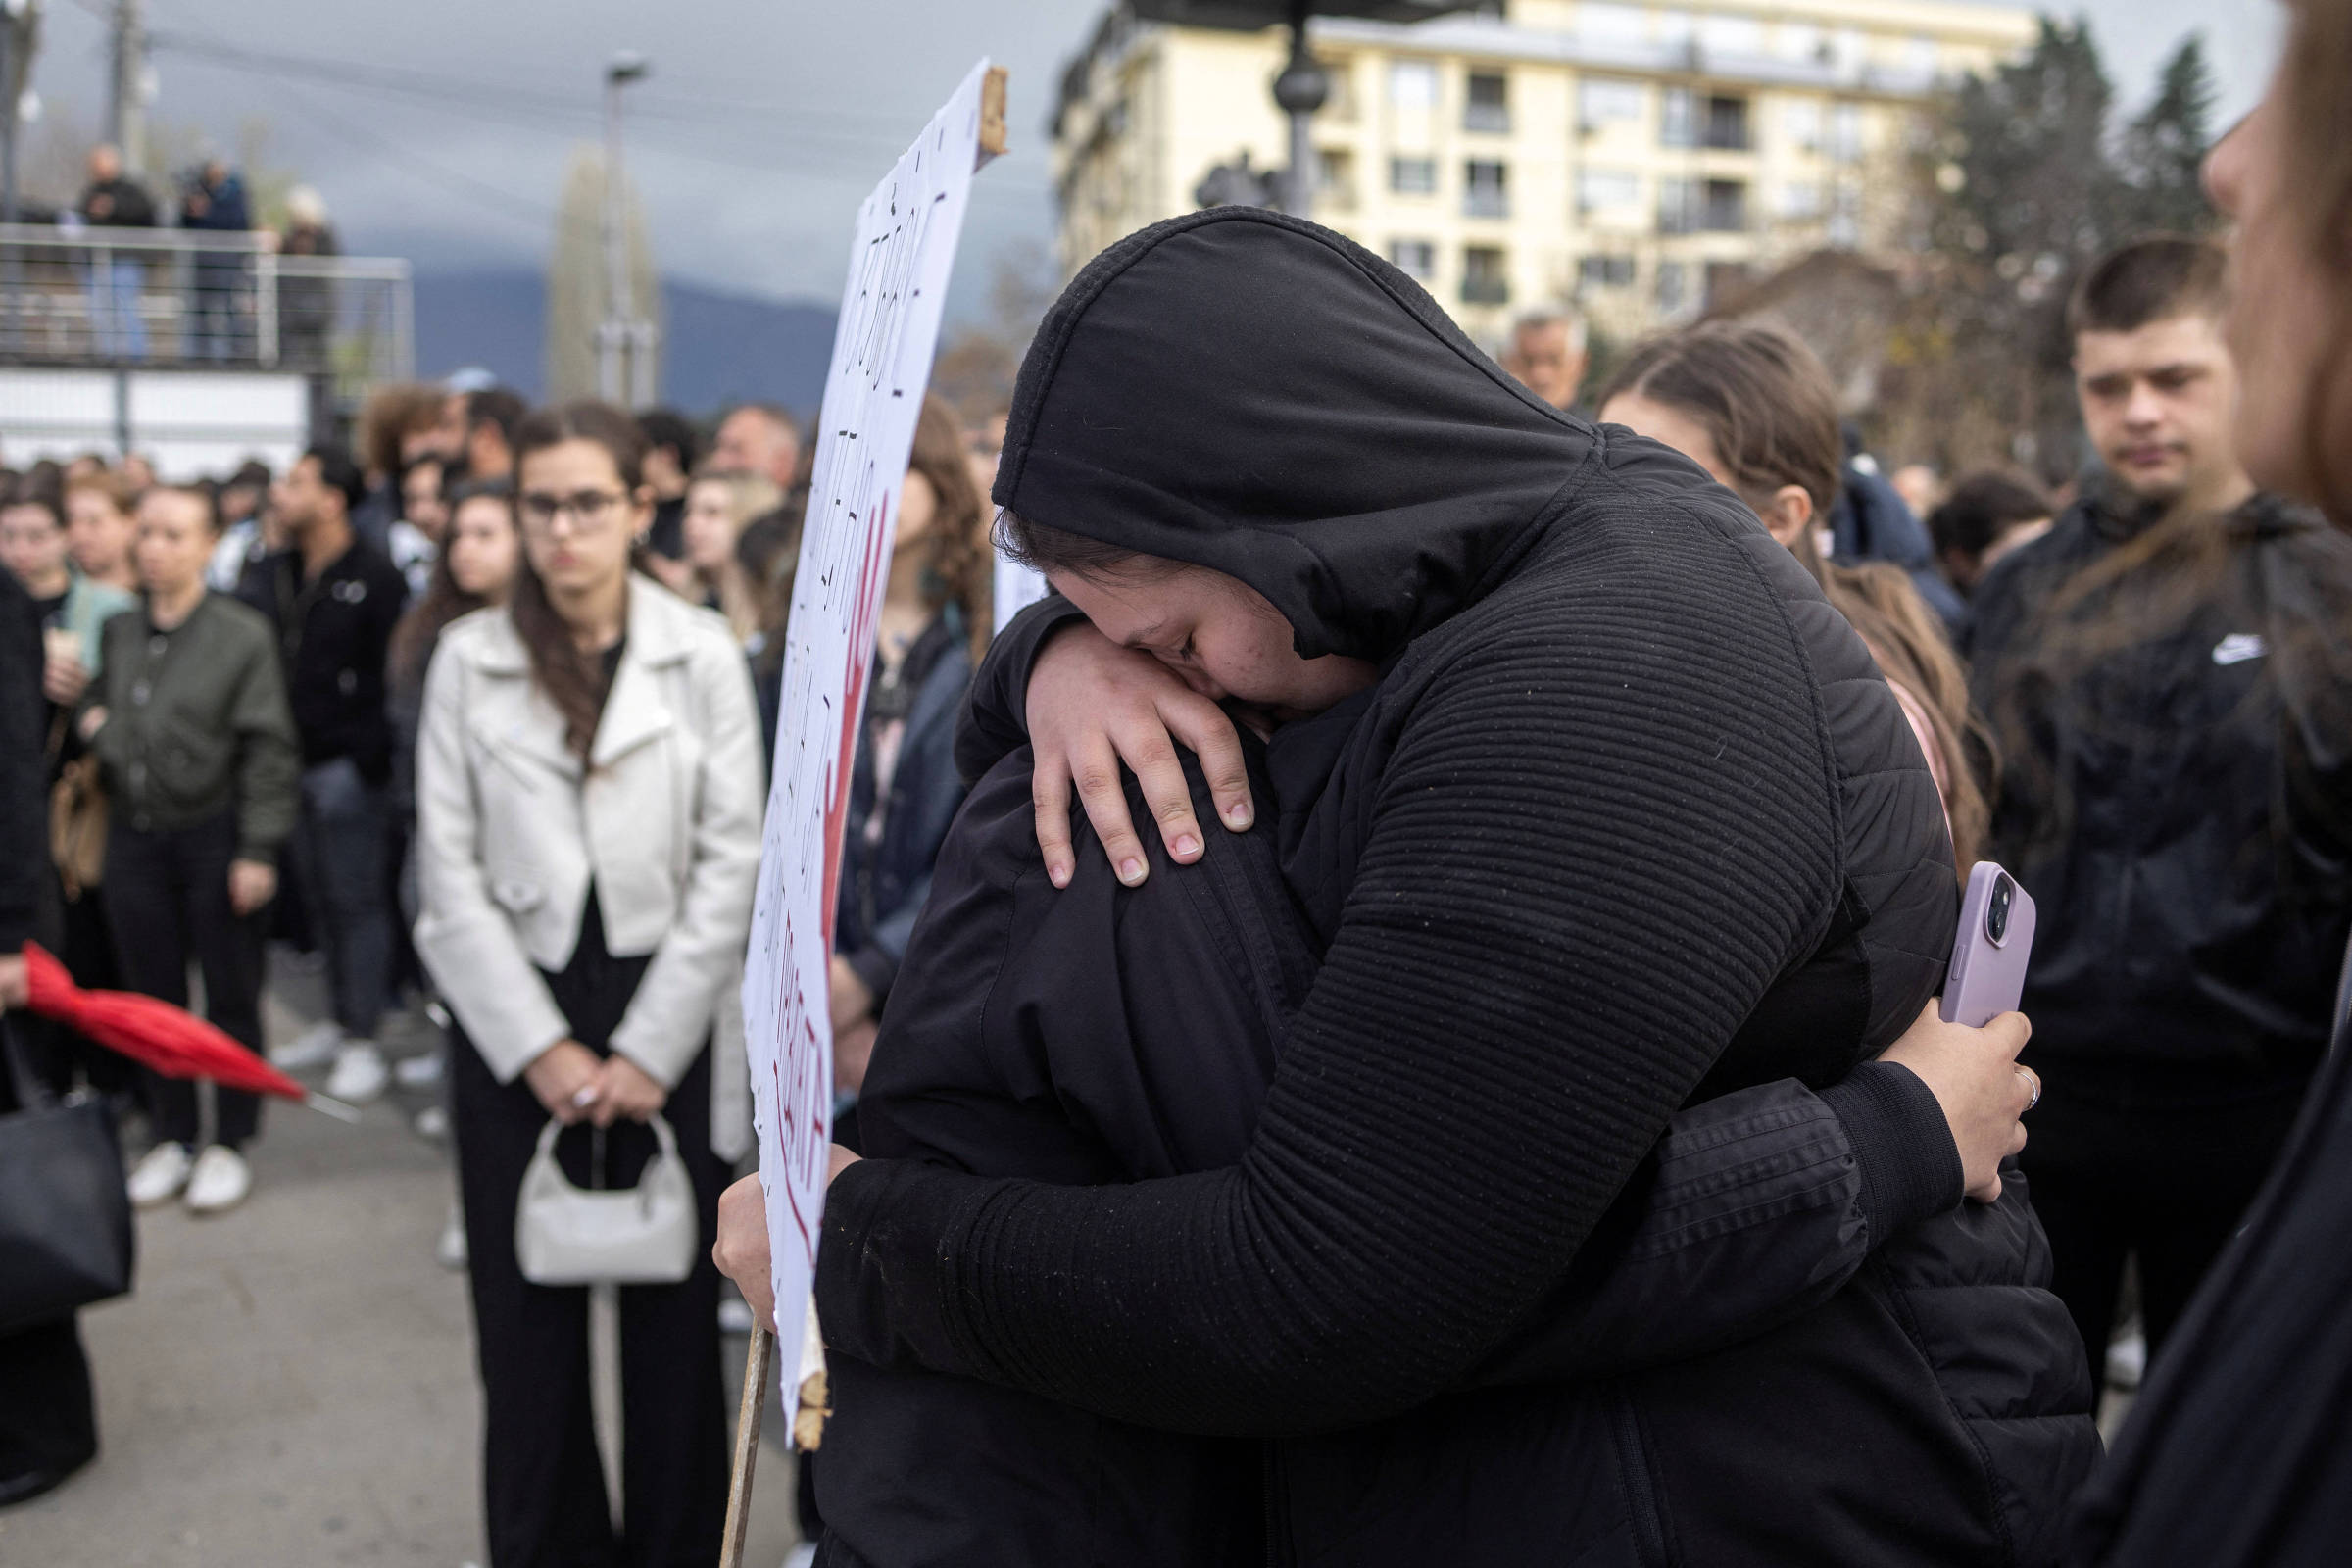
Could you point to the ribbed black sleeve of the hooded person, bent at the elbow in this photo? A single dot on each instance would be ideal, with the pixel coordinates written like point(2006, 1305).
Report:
point(1605, 829)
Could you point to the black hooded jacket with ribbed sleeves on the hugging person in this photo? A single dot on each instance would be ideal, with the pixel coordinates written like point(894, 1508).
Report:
point(1631, 815)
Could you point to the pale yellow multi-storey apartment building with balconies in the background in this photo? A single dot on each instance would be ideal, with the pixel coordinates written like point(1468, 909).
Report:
point(1622, 154)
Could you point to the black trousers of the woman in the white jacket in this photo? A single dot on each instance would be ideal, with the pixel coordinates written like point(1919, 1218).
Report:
point(544, 1489)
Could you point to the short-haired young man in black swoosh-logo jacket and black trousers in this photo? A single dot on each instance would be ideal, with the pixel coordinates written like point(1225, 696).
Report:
point(2167, 676)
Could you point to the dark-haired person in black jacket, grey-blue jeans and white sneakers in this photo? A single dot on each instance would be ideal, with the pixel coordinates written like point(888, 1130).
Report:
point(335, 601)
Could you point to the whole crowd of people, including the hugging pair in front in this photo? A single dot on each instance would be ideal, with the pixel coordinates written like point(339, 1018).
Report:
point(1523, 1132)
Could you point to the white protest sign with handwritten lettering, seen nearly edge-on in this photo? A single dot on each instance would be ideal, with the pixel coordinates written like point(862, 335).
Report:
point(883, 351)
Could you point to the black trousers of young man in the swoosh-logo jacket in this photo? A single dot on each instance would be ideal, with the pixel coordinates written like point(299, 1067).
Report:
point(2158, 1174)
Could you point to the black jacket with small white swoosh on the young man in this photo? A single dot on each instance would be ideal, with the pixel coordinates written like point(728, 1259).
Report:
point(2179, 800)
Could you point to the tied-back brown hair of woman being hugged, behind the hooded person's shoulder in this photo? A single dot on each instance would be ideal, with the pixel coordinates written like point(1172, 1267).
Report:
point(1770, 410)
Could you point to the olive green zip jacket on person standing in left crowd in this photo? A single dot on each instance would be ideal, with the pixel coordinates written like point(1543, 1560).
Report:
point(196, 725)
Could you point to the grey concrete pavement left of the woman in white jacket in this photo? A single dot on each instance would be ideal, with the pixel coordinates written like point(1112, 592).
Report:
point(293, 1383)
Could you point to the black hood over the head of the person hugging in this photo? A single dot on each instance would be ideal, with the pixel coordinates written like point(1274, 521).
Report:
point(1259, 396)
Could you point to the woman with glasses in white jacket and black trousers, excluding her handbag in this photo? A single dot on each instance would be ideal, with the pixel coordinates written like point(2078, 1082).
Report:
point(589, 833)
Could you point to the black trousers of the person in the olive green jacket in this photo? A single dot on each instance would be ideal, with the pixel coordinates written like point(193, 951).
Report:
point(168, 902)
